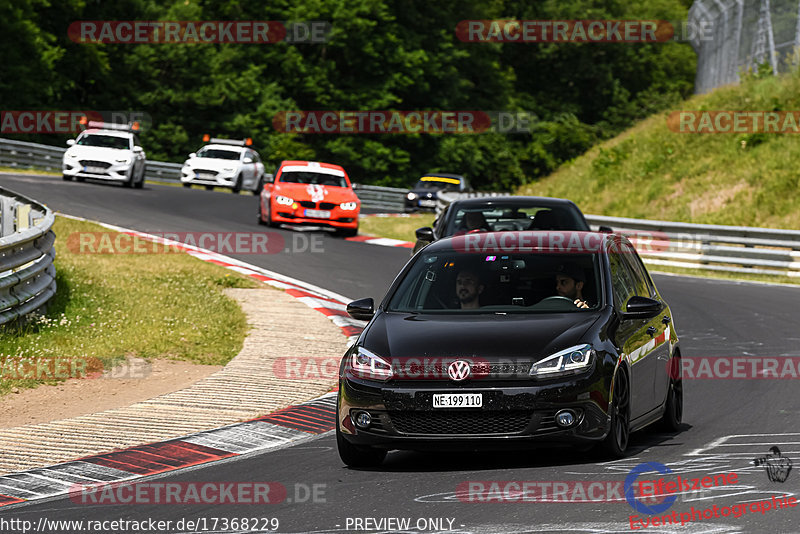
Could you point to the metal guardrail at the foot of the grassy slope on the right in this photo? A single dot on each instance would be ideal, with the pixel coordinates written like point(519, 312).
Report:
point(736, 249)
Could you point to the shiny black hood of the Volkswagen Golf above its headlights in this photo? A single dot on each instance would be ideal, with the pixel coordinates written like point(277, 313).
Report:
point(520, 336)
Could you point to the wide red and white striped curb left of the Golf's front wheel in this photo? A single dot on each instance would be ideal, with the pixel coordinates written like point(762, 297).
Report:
point(278, 429)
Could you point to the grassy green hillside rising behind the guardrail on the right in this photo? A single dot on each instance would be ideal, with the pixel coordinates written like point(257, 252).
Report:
point(652, 172)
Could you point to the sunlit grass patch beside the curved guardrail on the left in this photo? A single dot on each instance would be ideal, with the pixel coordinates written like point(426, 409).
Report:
point(109, 306)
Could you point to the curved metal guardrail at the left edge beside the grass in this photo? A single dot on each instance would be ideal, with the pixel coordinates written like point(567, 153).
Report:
point(27, 274)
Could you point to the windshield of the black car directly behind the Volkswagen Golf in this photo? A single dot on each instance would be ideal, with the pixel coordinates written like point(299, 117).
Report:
point(513, 218)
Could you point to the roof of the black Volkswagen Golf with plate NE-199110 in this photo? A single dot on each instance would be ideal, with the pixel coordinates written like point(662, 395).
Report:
point(561, 241)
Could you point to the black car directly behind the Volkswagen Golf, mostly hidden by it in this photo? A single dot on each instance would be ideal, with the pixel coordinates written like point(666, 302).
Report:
point(509, 213)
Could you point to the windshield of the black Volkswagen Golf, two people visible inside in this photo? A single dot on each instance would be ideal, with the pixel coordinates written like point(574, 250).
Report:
point(522, 282)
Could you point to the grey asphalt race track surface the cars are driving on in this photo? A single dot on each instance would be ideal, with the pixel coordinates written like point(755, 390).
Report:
point(727, 423)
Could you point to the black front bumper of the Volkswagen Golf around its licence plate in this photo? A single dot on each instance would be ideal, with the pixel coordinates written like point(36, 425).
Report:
point(513, 414)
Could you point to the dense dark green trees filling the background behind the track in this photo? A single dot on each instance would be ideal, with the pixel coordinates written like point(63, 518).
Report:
point(381, 55)
